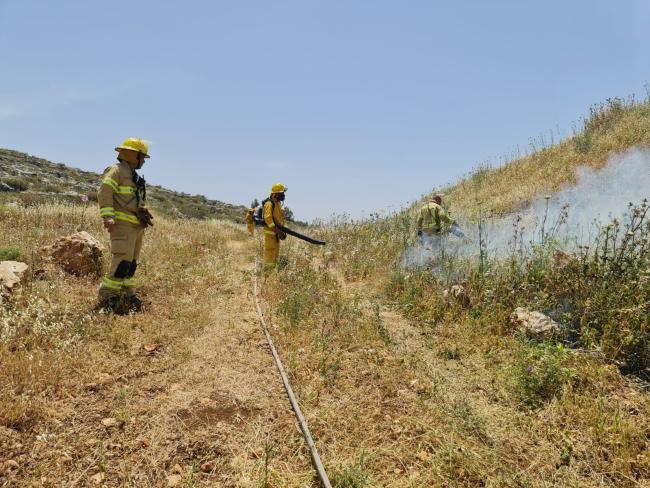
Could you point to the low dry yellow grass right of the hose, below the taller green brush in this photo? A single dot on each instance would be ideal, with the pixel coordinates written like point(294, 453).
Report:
point(435, 400)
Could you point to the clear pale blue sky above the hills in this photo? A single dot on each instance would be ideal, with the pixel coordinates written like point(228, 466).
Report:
point(354, 105)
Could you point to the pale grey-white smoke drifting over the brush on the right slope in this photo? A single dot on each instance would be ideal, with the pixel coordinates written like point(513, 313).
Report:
point(571, 217)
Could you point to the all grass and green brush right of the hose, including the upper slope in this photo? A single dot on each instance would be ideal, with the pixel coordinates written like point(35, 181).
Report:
point(409, 387)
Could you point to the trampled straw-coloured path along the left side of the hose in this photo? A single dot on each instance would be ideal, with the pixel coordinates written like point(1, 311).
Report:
point(208, 410)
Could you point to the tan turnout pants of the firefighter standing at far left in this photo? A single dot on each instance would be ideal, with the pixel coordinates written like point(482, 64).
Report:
point(126, 243)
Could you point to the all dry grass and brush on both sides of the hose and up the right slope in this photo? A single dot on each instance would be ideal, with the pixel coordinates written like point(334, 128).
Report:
point(401, 383)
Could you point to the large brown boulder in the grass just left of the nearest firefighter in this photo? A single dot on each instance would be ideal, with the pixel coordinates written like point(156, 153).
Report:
point(79, 254)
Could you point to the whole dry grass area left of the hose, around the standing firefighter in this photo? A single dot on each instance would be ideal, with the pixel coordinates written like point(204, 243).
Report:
point(203, 406)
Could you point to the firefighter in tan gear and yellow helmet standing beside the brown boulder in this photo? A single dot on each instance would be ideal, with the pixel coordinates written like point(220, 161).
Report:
point(122, 197)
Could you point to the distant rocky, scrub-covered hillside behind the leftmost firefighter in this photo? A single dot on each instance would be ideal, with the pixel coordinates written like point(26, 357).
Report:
point(32, 180)
